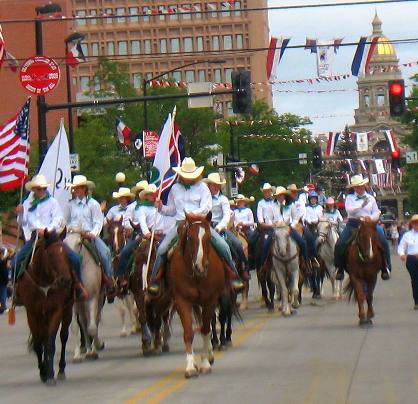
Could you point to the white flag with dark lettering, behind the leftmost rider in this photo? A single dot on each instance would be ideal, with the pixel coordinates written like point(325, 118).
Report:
point(56, 167)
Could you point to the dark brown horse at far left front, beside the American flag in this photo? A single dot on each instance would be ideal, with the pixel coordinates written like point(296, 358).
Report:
point(46, 291)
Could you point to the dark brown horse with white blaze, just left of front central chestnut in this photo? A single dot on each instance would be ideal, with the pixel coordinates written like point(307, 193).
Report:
point(154, 314)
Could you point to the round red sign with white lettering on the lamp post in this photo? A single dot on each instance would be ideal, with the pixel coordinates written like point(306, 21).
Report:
point(39, 75)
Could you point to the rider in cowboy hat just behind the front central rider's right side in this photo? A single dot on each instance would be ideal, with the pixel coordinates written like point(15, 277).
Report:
point(221, 215)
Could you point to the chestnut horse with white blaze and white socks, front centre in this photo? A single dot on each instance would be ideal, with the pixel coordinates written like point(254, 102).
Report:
point(197, 278)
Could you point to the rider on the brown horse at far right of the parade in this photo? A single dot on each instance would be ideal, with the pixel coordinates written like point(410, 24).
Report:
point(360, 204)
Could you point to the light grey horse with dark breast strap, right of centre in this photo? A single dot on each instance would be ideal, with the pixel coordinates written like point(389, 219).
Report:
point(285, 268)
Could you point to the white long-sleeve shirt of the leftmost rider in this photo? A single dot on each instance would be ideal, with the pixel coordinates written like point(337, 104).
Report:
point(47, 215)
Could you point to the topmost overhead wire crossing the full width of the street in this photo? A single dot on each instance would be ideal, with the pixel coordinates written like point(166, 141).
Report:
point(157, 13)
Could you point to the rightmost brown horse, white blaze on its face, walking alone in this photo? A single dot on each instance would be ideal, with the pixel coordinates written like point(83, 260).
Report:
point(363, 264)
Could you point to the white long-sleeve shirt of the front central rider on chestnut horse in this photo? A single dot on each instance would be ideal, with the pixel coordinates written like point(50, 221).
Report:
point(197, 200)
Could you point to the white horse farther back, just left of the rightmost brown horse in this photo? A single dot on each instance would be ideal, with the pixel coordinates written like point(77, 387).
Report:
point(327, 238)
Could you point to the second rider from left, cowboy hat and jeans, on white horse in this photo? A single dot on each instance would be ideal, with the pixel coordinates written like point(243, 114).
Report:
point(84, 212)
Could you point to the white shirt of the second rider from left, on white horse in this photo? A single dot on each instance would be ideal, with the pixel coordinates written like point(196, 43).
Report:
point(85, 214)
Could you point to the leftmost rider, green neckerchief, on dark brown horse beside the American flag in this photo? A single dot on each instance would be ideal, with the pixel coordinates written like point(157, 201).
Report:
point(42, 212)
